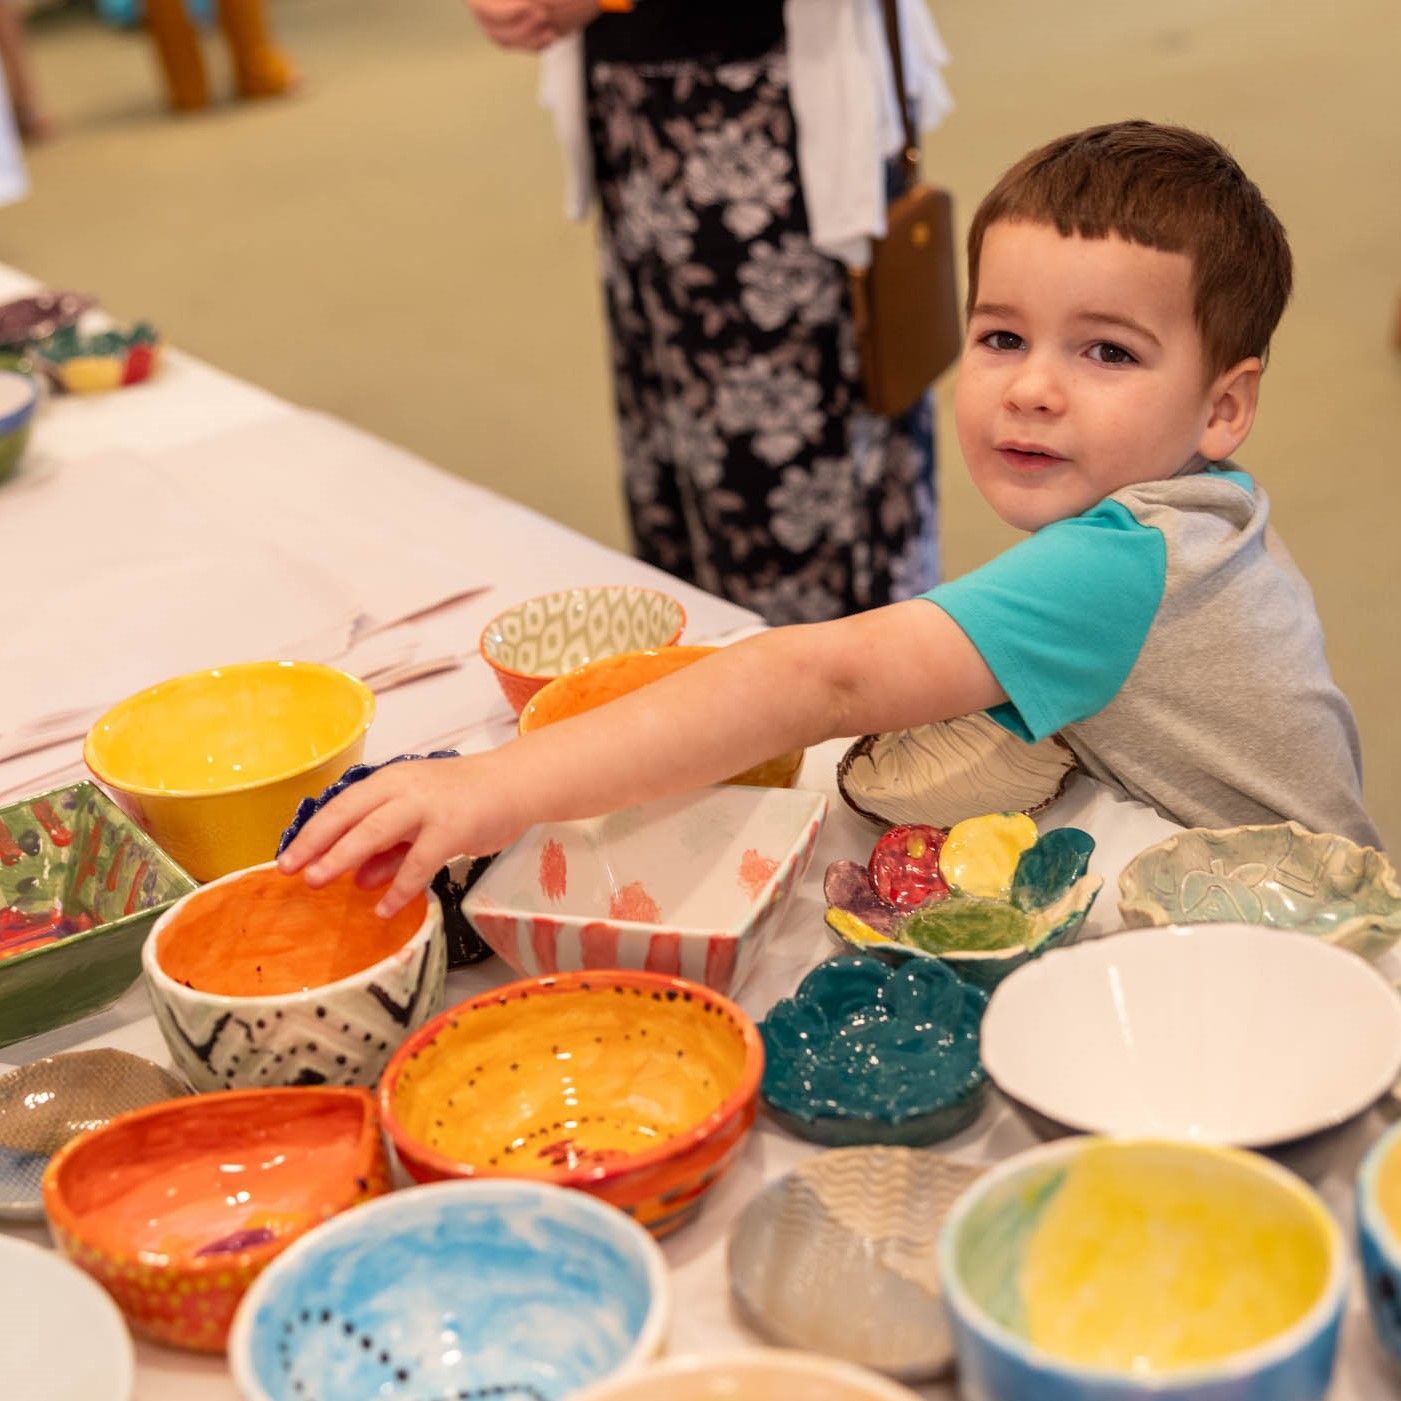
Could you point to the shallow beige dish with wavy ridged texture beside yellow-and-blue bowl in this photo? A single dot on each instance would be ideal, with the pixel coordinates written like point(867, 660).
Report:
point(871, 1220)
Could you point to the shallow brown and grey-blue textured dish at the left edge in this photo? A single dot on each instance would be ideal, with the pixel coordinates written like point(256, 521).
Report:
point(47, 1103)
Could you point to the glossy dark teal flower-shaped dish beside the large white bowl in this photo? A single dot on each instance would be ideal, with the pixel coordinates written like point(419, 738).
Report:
point(865, 1053)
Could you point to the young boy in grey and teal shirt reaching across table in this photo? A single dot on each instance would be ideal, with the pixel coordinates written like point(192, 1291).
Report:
point(1124, 284)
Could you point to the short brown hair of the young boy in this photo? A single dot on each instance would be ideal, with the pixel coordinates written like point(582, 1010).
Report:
point(1168, 188)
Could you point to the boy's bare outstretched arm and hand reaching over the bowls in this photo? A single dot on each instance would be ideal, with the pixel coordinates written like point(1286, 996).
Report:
point(784, 690)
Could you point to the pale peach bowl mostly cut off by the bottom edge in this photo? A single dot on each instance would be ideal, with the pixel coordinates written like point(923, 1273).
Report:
point(752, 1375)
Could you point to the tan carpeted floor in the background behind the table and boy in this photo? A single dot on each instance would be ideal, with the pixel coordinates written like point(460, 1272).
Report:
point(389, 246)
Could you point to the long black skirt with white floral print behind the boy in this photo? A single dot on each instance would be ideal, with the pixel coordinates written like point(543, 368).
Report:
point(752, 466)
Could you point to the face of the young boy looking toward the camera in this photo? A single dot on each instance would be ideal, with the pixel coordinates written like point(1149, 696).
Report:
point(1084, 372)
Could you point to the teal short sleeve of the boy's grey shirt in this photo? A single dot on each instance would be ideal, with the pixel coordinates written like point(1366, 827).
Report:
point(1063, 616)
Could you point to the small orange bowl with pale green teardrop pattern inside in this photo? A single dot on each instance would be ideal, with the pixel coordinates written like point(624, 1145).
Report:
point(532, 644)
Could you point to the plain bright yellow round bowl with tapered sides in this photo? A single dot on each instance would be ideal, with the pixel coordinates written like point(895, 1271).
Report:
point(214, 764)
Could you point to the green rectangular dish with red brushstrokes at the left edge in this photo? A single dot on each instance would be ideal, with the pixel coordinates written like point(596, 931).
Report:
point(81, 888)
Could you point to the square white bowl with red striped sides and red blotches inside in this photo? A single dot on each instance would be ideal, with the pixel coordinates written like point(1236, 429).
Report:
point(693, 885)
